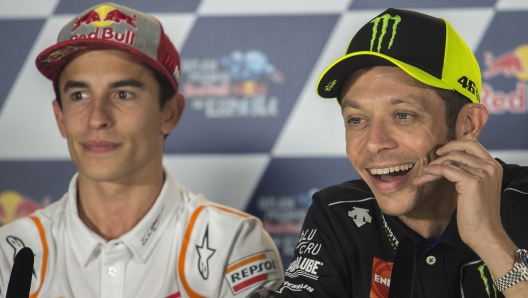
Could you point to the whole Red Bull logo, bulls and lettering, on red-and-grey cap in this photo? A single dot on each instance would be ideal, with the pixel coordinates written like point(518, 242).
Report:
point(102, 18)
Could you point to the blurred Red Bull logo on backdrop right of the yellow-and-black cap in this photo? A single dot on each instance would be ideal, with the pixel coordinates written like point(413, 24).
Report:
point(512, 64)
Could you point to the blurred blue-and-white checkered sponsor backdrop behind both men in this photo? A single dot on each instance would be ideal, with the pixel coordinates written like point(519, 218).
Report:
point(254, 135)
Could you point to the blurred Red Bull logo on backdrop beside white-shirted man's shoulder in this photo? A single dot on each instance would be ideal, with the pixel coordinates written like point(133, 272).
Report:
point(13, 205)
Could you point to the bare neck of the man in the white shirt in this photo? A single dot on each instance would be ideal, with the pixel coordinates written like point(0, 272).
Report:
point(111, 209)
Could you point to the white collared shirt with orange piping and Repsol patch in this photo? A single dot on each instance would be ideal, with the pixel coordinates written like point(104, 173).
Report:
point(185, 246)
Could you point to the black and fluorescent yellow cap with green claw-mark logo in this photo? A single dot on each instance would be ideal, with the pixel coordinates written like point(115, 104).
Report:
point(425, 47)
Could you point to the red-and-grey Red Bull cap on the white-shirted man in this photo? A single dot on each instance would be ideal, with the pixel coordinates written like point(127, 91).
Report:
point(113, 26)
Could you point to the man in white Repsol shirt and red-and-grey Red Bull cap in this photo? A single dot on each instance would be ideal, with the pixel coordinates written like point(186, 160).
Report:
point(125, 228)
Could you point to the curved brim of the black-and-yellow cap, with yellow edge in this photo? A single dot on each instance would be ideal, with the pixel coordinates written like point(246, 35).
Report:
point(332, 79)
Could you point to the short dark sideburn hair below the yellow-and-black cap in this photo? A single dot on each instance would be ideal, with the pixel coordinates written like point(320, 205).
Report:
point(453, 102)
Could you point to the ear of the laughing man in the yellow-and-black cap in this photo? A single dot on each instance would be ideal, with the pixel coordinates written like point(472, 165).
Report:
point(471, 120)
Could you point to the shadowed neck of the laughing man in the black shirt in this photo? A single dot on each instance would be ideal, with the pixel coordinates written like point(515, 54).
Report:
point(431, 219)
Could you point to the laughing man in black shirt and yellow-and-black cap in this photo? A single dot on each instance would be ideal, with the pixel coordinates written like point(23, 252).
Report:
point(434, 215)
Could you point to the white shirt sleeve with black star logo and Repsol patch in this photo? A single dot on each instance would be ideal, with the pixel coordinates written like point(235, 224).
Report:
point(227, 251)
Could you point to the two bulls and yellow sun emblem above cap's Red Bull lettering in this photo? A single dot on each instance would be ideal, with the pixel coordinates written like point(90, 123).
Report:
point(104, 16)
